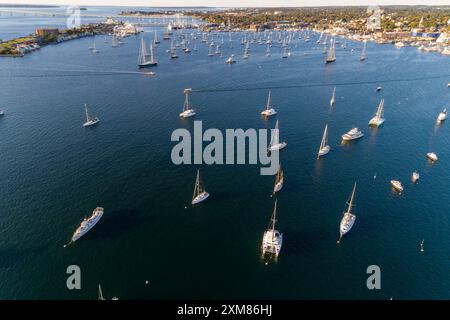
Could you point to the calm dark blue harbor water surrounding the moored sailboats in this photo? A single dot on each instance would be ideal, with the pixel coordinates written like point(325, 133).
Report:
point(53, 172)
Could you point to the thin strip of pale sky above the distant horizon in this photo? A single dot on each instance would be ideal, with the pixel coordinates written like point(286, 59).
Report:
point(229, 3)
